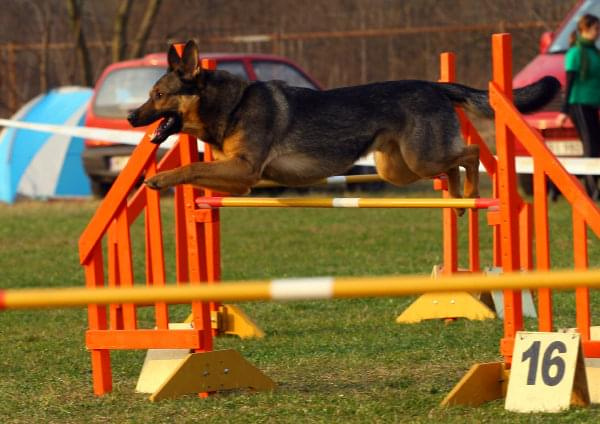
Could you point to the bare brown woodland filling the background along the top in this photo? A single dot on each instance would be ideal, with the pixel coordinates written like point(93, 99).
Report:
point(339, 42)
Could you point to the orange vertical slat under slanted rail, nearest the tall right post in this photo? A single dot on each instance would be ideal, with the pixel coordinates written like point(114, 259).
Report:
point(542, 245)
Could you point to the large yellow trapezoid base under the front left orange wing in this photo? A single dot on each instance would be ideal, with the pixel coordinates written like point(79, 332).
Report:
point(211, 372)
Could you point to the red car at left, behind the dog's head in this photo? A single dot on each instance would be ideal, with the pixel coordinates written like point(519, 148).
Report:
point(125, 85)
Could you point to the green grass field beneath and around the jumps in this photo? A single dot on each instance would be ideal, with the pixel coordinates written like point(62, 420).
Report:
point(333, 361)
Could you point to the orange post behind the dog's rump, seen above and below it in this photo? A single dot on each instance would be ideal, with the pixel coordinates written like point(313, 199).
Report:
point(450, 231)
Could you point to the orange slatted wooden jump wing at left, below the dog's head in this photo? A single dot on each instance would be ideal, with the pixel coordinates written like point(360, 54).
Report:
point(197, 262)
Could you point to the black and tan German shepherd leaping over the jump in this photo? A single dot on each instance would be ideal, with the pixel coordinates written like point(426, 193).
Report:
point(297, 136)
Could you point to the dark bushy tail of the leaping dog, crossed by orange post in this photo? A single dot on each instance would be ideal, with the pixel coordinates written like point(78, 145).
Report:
point(527, 99)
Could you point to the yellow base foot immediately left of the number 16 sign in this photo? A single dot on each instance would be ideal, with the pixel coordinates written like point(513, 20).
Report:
point(482, 383)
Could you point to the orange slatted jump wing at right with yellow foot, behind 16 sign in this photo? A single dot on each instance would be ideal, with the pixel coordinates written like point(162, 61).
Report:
point(518, 223)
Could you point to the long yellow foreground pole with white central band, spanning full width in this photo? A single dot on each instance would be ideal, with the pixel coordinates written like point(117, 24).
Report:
point(295, 289)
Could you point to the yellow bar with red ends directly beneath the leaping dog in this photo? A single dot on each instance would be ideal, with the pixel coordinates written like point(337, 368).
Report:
point(340, 202)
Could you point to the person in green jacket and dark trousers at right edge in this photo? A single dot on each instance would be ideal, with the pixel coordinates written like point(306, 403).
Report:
point(582, 93)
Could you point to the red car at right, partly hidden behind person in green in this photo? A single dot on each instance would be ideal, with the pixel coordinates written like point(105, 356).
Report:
point(562, 141)
